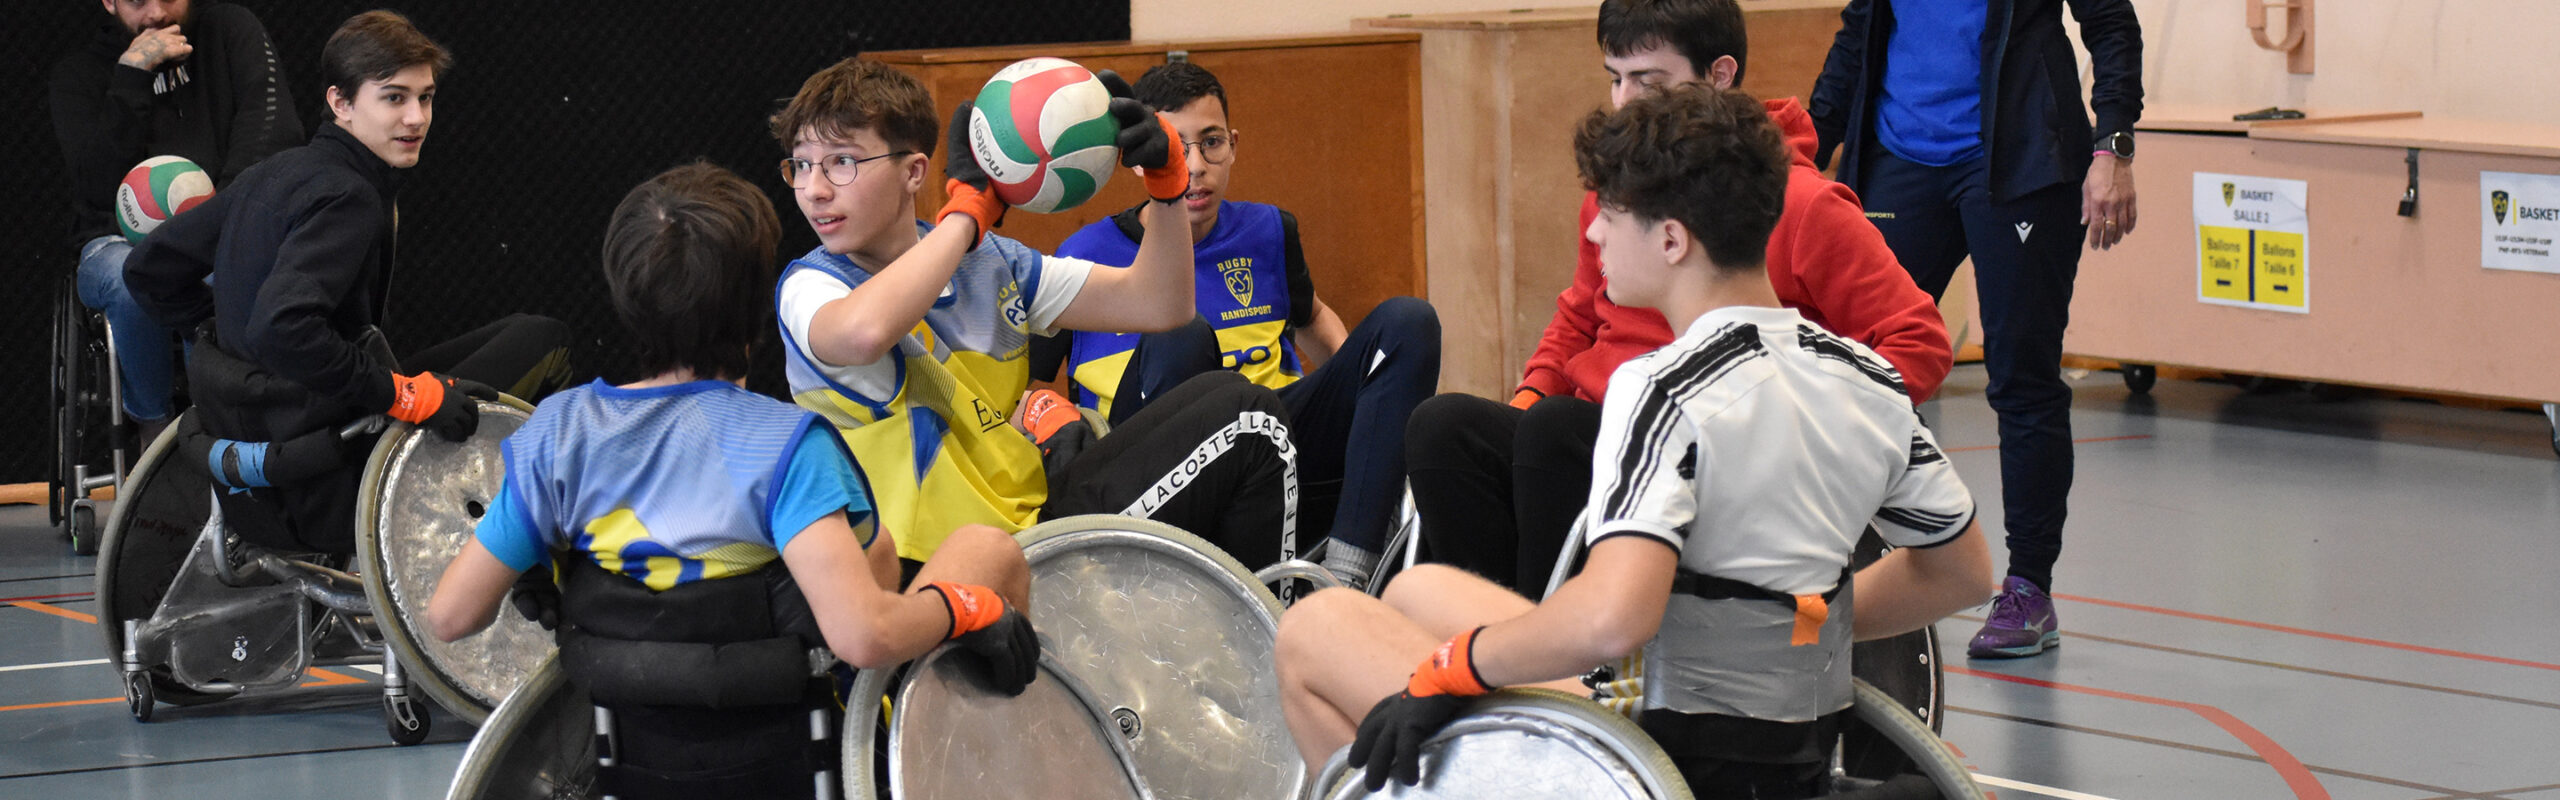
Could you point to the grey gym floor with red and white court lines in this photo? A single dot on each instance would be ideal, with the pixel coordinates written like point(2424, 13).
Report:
point(2262, 596)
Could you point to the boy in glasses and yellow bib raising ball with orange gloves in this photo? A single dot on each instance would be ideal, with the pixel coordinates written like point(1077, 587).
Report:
point(915, 337)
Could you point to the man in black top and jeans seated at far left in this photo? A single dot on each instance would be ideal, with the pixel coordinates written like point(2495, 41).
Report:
point(163, 78)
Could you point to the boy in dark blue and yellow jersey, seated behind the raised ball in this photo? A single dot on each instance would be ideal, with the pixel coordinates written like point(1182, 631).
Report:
point(1258, 314)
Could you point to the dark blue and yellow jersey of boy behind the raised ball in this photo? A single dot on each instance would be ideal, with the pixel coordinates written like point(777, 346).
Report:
point(1251, 286)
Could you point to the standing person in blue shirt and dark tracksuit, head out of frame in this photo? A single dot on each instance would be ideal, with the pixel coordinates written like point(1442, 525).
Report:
point(1988, 153)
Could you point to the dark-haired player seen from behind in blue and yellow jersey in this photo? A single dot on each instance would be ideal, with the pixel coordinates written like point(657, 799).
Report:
point(708, 537)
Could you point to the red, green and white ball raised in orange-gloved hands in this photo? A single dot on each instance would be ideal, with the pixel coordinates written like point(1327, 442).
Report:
point(1043, 135)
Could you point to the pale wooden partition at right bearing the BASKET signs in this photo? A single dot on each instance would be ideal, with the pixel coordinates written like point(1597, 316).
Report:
point(2392, 301)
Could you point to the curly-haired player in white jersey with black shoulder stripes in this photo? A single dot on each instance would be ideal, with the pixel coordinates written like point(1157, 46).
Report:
point(1734, 476)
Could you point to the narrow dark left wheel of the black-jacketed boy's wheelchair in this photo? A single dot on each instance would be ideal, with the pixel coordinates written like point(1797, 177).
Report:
point(147, 540)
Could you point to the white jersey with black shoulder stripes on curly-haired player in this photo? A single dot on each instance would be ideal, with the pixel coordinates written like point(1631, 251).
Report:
point(1760, 447)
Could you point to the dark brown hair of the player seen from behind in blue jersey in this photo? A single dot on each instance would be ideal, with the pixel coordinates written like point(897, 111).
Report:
point(690, 268)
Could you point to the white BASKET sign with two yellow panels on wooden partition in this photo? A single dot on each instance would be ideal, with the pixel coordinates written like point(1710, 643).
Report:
point(2254, 242)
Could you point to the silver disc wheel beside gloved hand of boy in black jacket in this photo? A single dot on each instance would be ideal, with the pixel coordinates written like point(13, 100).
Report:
point(419, 506)
